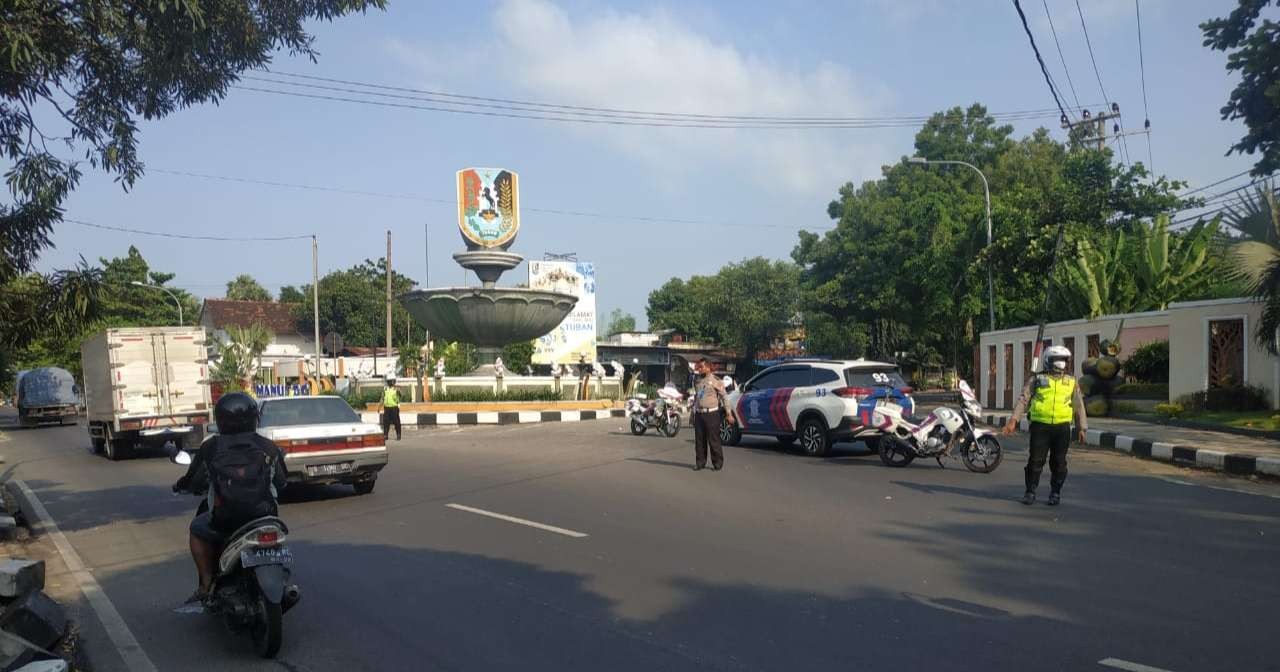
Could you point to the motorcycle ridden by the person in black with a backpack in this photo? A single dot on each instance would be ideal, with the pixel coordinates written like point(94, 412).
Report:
point(253, 592)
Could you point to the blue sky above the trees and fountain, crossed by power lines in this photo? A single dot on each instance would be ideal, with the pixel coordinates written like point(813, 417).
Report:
point(749, 191)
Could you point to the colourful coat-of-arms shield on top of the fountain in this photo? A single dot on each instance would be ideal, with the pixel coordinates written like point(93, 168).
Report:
point(488, 207)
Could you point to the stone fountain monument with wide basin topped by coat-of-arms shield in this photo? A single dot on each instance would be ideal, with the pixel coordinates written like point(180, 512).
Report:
point(488, 317)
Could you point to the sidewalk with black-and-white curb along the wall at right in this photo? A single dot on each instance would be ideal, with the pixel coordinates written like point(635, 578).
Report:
point(1218, 451)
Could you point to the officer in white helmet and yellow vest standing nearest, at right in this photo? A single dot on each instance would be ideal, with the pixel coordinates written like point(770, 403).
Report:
point(1052, 400)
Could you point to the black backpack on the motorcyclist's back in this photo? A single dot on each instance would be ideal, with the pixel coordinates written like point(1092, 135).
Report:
point(240, 476)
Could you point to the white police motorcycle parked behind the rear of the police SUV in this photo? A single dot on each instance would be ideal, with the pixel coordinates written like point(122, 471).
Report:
point(944, 433)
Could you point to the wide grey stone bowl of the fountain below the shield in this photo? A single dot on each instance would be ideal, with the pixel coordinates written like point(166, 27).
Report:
point(491, 318)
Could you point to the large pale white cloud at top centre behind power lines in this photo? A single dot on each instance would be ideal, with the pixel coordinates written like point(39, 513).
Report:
point(656, 62)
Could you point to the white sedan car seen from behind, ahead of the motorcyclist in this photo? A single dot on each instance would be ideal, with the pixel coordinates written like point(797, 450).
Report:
point(324, 441)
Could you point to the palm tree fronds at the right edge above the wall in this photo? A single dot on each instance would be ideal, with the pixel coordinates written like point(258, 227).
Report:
point(1258, 220)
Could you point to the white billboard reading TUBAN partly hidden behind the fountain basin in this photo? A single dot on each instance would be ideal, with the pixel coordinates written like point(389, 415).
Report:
point(574, 340)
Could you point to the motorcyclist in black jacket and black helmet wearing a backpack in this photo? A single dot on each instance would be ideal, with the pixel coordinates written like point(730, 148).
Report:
point(240, 472)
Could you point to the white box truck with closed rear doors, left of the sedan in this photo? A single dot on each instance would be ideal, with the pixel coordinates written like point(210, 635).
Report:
point(147, 386)
